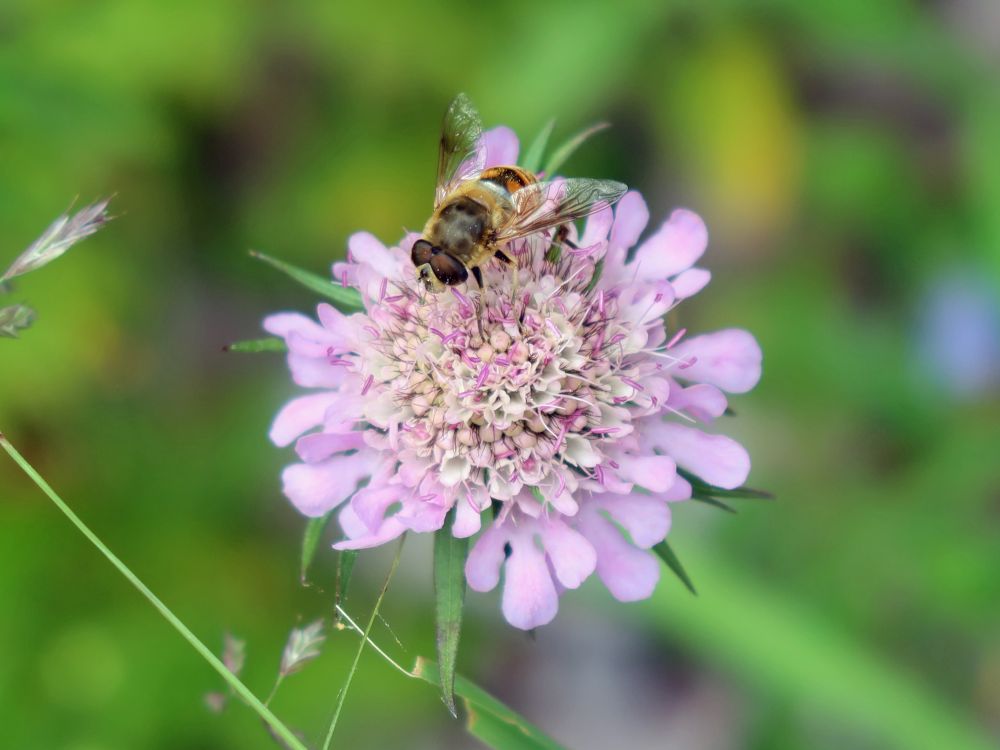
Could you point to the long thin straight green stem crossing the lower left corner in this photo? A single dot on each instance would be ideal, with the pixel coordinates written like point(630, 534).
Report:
point(242, 690)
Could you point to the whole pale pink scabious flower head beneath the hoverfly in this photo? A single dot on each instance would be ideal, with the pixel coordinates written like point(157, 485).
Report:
point(555, 433)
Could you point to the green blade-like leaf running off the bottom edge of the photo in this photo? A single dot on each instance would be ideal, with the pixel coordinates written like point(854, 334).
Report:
point(488, 719)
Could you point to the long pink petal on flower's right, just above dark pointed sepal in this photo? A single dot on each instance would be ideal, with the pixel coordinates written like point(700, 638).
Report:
point(717, 459)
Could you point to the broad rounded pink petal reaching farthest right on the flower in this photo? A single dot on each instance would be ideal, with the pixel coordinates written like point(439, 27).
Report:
point(729, 359)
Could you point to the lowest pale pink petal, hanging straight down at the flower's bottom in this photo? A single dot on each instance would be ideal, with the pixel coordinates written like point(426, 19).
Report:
point(529, 596)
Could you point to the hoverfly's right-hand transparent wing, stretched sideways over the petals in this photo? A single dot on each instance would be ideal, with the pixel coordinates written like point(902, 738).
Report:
point(544, 205)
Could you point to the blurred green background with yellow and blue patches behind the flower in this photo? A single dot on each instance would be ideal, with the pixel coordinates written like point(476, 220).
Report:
point(846, 156)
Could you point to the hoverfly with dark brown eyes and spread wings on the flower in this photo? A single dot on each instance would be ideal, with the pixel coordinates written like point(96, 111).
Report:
point(479, 211)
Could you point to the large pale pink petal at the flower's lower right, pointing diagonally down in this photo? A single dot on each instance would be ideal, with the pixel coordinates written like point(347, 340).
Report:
point(629, 573)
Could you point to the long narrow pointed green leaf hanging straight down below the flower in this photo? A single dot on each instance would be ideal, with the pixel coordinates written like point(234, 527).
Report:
point(449, 596)
